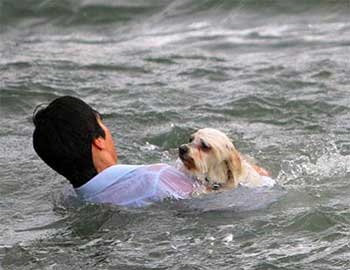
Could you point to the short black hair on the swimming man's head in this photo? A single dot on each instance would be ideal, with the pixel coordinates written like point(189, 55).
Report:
point(63, 136)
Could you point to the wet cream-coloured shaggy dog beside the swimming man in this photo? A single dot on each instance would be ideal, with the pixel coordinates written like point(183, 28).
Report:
point(213, 160)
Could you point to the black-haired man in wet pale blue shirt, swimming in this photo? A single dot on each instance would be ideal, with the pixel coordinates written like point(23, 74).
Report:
point(71, 138)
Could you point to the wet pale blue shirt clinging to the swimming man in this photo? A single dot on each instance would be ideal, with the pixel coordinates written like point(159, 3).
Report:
point(137, 185)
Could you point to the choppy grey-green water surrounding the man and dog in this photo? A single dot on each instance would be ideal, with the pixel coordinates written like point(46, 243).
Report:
point(273, 75)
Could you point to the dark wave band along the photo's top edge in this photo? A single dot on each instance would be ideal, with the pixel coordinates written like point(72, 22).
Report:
point(97, 12)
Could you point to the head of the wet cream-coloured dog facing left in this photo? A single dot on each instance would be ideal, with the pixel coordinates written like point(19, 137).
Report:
point(212, 158)
